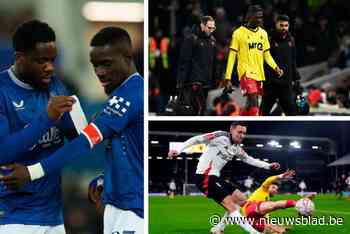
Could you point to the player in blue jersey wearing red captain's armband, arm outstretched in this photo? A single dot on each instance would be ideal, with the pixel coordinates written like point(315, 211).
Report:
point(120, 123)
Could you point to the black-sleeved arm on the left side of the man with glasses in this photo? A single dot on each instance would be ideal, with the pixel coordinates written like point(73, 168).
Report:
point(184, 65)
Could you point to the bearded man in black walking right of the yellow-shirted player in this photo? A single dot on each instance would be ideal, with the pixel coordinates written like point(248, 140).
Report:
point(285, 88)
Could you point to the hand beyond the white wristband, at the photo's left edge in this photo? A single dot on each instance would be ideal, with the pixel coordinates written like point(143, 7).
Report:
point(18, 177)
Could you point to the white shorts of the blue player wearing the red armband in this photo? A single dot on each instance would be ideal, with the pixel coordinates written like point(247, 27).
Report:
point(117, 221)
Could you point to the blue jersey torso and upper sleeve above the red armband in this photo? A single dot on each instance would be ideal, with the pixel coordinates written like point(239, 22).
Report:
point(123, 174)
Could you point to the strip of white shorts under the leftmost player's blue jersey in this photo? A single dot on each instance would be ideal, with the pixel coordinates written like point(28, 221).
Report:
point(31, 229)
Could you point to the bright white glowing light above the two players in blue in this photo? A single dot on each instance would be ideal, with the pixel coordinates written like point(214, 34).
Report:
point(113, 11)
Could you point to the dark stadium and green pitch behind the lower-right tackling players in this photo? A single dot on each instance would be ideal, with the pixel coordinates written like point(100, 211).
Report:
point(318, 151)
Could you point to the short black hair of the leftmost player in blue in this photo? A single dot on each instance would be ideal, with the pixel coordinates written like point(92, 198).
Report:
point(28, 34)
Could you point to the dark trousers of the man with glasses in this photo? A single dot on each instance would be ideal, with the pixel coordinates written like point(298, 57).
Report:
point(196, 96)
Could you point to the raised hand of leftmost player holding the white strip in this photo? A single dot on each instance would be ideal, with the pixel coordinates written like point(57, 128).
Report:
point(58, 105)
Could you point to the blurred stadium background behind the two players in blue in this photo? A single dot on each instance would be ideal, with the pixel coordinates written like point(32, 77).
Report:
point(75, 22)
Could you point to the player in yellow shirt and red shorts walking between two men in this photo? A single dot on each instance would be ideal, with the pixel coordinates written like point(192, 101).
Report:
point(251, 46)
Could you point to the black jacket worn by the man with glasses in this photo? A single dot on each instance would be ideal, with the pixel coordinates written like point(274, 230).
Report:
point(196, 61)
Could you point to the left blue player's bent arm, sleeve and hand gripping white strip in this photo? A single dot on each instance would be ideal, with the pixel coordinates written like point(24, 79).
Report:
point(13, 145)
